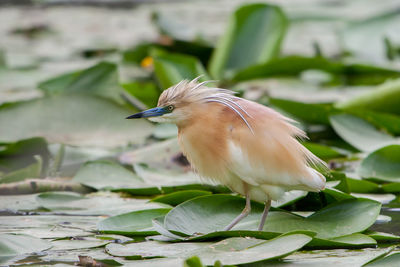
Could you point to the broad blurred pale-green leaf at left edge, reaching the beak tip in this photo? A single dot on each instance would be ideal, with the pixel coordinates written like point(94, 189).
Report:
point(72, 119)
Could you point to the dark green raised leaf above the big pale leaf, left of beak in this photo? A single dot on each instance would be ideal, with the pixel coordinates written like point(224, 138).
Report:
point(101, 80)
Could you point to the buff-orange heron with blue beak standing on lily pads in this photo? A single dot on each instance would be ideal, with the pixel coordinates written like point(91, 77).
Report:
point(248, 147)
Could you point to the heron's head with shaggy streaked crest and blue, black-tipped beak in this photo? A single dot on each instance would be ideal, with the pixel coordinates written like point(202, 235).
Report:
point(181, 102)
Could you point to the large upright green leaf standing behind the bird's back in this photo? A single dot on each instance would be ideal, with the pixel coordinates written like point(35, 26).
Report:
point(254, 36)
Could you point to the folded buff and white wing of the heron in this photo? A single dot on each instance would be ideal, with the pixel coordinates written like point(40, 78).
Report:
point(271, 154)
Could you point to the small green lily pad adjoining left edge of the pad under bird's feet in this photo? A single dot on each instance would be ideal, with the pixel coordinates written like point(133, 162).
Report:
point(136, 223)
